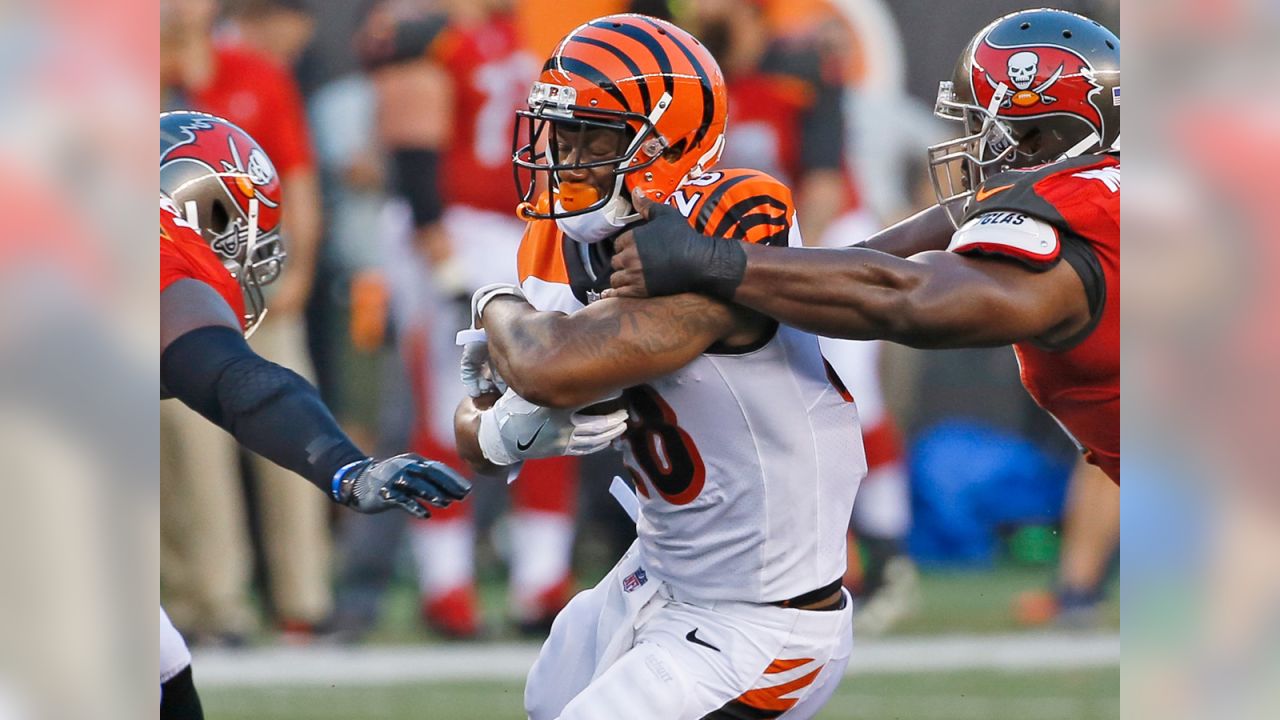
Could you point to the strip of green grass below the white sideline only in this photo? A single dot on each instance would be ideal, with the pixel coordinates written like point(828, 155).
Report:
point(1081, 695)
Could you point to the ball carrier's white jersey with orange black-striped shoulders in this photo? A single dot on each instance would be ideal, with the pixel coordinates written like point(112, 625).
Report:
point(747, 461)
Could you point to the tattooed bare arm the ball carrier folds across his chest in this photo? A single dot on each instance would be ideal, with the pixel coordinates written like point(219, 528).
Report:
point(560, 361)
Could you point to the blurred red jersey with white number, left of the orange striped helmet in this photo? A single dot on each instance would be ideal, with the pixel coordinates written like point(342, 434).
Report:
point(492, 76)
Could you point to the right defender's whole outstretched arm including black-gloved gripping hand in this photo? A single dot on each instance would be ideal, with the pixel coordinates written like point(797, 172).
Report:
point(935, 299)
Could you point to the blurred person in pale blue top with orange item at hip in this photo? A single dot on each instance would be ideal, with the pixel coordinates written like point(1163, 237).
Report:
point(358, 371)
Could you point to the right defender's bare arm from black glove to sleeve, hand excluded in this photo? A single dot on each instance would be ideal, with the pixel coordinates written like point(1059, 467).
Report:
point(935, 300)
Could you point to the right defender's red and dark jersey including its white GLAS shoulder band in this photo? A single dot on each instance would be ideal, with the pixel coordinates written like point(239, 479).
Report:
point(1078, 382)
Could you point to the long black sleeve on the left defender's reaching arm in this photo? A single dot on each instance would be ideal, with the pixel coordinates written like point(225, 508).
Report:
point(269, 409)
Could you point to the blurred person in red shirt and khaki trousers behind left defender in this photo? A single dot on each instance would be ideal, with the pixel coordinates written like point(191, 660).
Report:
point(257, 93)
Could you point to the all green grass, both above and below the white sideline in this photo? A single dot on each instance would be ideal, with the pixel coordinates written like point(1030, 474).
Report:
point(953, 603)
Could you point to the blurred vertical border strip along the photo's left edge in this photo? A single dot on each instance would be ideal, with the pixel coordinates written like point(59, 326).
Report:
point(77, 364)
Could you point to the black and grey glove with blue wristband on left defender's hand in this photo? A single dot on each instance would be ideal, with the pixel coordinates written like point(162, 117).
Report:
point(406, 481)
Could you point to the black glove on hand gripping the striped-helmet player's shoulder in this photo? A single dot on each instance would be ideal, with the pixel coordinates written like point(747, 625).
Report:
point(675, 258)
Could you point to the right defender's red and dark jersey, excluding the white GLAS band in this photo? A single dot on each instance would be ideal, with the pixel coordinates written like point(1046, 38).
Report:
point(1078, 385)
